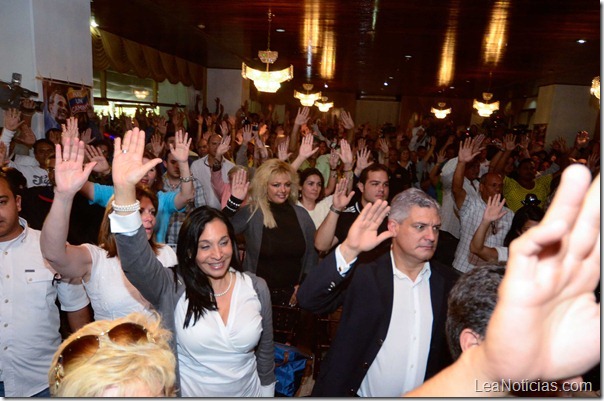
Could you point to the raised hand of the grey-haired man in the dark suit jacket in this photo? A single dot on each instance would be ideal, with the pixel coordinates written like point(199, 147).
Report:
point(363, 234)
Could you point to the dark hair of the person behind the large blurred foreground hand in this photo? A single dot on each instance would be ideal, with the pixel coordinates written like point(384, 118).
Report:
point(471, 303)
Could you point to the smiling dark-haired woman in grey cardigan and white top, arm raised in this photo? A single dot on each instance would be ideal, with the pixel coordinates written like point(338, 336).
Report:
point(221, 318)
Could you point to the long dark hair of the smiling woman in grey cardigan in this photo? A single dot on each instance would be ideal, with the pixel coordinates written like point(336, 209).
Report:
point(198, 289)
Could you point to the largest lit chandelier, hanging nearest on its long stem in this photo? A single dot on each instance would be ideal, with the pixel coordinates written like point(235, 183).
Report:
point(267, 81)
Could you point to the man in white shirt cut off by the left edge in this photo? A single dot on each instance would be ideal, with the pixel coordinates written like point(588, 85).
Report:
point(29, 318)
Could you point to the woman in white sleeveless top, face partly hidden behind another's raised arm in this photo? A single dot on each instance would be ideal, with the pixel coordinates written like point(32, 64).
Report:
point(111, 294)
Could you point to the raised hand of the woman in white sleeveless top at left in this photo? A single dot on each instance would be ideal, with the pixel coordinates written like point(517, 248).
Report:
point(69, 175)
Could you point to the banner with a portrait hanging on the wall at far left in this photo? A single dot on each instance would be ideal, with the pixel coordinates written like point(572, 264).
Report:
point(63, 100)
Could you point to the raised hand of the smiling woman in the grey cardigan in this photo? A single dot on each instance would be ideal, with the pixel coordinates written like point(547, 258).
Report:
point(128, 167)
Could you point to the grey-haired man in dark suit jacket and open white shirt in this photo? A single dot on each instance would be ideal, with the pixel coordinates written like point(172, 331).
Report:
point(373, 354)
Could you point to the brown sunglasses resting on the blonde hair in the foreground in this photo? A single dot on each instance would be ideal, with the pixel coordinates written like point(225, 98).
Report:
point(87, 346)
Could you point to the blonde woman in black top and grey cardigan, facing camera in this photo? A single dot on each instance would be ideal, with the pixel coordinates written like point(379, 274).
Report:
point(279, 235)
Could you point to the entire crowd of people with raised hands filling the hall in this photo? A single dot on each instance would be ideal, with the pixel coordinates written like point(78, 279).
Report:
point(175, 239)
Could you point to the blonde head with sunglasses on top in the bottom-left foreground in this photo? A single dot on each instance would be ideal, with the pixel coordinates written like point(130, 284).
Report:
point(126, 357)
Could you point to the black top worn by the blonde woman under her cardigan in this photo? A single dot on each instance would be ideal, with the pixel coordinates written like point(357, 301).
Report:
point(282, 249)
